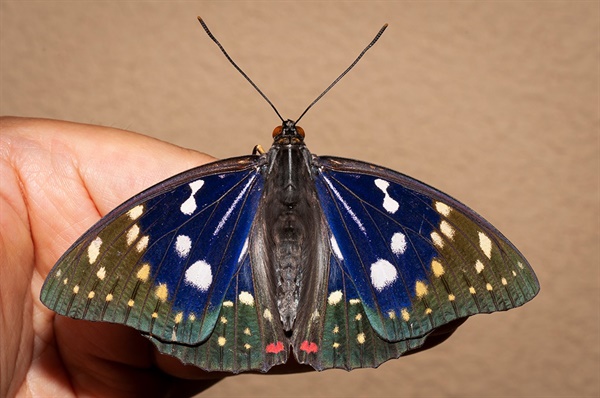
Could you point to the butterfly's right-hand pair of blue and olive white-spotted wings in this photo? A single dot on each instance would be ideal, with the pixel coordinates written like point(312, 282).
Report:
point(406, 259)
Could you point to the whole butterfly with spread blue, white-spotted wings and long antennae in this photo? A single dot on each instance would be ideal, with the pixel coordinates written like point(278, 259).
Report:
point(237, 264)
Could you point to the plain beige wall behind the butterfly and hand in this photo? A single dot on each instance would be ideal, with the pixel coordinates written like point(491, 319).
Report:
point(493, 102)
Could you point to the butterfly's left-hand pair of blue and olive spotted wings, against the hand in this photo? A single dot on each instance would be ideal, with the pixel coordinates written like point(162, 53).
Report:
point(172, 263)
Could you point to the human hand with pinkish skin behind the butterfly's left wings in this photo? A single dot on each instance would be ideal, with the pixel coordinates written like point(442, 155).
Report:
point(58, 179)
